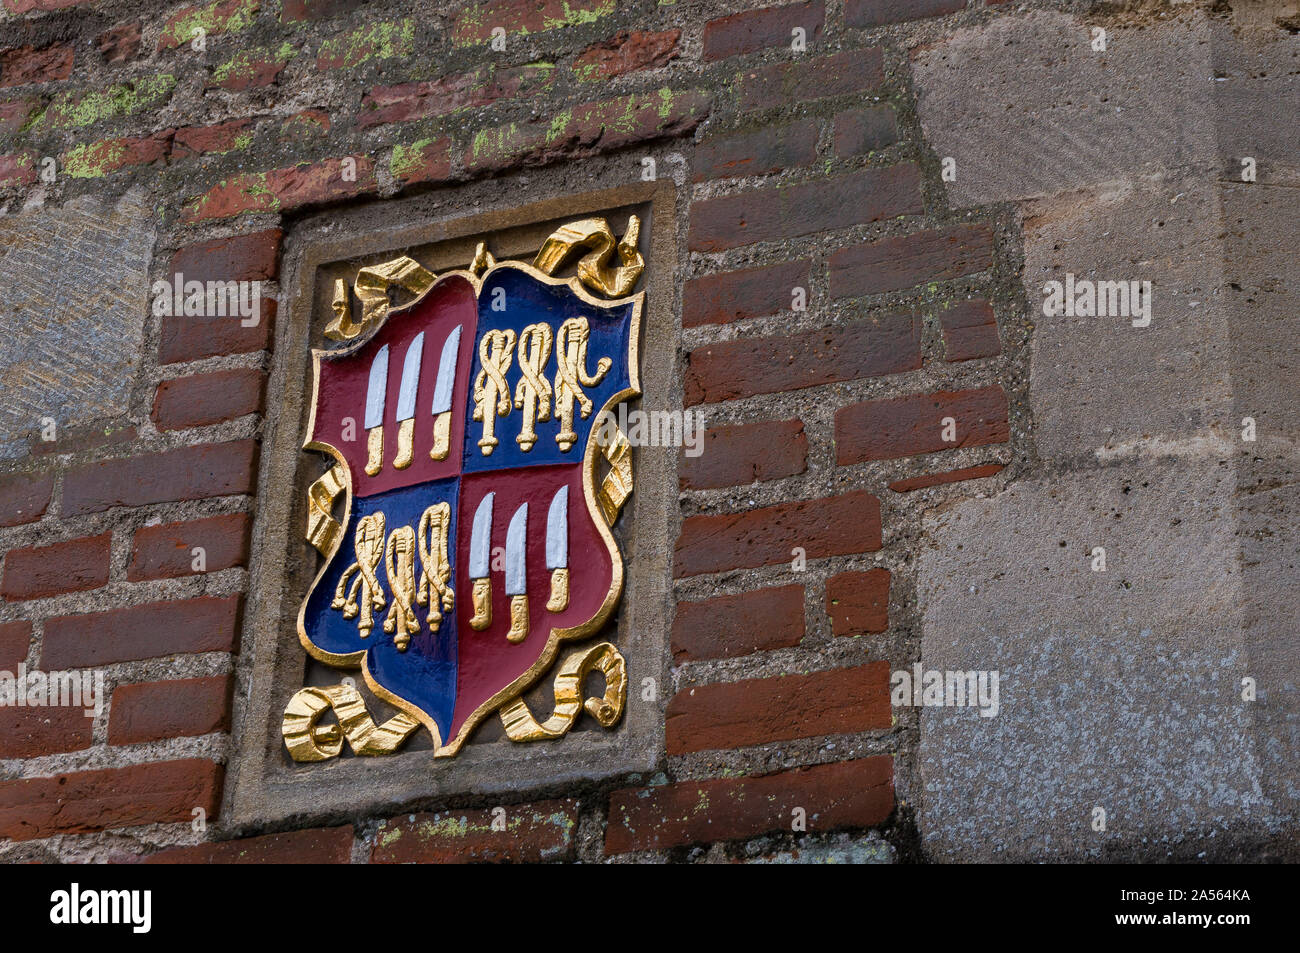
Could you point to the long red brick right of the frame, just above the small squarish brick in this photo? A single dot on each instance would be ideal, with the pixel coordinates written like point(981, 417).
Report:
point(766, 536)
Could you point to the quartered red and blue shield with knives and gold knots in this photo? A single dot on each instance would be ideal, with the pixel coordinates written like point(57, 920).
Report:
point(475, 538)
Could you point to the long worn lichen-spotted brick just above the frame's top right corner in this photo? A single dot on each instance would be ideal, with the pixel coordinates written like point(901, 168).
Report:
point(588, 129)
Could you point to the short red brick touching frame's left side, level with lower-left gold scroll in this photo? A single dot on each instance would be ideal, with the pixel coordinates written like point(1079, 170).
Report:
point(179, 709)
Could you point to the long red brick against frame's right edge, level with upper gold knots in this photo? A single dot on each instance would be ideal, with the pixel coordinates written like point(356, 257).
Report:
point(746, 367)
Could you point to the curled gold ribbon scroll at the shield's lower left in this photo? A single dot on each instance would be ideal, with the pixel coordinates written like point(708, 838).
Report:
point(310, 740)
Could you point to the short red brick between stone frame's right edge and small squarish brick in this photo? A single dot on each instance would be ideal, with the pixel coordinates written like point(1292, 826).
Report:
point(733, 626)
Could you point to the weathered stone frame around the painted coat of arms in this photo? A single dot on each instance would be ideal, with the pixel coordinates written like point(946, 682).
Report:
point(267, 787)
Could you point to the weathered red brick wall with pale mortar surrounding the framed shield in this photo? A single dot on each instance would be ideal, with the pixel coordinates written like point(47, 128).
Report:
point(835, 315)
